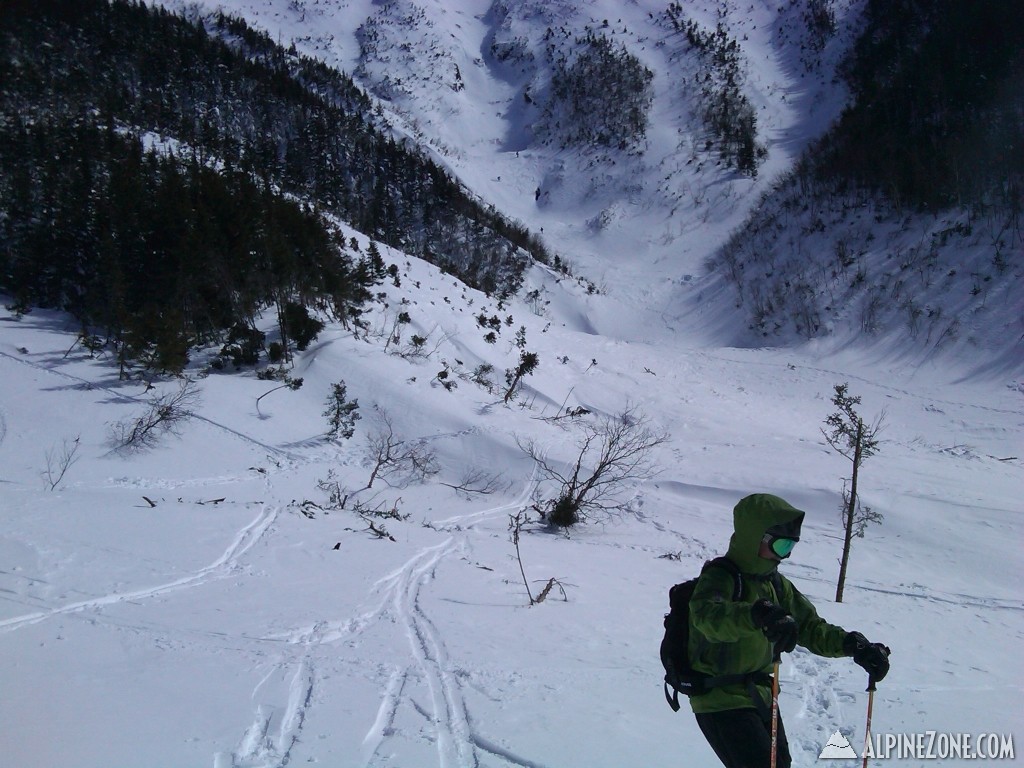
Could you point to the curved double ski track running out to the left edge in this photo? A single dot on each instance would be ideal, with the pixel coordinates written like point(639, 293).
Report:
point(224, 566)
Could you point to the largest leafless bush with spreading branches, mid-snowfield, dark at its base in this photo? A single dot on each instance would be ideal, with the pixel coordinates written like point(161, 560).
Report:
point(612, 453)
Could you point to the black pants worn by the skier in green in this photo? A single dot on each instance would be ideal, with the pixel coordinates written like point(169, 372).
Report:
point(743, 740)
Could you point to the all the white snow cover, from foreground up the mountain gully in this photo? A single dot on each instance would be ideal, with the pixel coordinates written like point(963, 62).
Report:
point(204, 603)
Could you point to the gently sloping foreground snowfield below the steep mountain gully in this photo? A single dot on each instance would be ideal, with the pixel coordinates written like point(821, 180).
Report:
point(202, 605)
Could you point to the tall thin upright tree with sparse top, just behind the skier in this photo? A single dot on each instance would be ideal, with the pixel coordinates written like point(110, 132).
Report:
point(848, 436)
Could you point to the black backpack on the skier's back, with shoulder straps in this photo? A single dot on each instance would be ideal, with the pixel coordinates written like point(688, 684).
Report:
point(679, 674)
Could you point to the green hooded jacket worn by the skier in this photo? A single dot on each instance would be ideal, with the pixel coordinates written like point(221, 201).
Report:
point(723, 638)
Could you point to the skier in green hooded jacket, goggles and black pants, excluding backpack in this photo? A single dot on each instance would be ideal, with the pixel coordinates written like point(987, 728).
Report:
point(730, 637)
